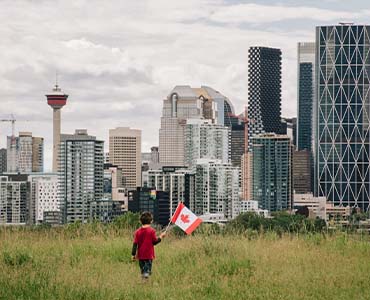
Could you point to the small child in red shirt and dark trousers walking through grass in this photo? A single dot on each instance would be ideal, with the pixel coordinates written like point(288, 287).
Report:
point(144, 241)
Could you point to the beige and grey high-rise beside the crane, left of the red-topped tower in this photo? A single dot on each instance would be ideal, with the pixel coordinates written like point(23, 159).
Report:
point(25, 154)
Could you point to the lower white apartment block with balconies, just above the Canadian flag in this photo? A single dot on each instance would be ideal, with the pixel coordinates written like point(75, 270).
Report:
point(216, 189)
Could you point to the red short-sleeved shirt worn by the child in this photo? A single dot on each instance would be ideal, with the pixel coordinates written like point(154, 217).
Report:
point(144, 238)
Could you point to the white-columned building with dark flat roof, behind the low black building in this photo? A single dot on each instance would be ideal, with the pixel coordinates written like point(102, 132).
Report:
point(177, 181)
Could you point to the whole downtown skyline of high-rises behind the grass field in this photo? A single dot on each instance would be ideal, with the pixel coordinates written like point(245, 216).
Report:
point(218, 162)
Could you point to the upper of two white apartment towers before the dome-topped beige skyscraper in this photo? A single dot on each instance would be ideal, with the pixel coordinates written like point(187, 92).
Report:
point(203, 139)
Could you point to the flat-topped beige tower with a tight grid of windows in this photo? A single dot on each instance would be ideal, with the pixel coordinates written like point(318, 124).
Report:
point(125, 152)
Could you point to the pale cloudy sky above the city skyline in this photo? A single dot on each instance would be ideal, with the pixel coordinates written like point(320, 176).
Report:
point(117, 60)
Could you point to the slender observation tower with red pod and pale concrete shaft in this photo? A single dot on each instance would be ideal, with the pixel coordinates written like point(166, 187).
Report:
point(56, 99)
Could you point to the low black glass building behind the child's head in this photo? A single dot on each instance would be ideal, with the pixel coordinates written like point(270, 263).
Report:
point(148, 199)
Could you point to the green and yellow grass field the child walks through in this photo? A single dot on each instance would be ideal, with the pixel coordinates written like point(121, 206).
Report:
point(95, 264)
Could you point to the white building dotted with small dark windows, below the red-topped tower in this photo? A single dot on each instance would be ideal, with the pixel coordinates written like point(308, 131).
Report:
point(44, 195)
